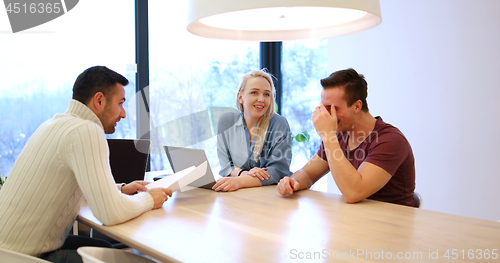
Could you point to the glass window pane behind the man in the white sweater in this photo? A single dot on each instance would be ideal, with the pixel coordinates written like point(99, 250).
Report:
point(39, 66)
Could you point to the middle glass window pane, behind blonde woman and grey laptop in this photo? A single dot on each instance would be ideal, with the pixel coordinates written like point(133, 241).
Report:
point(190, 77)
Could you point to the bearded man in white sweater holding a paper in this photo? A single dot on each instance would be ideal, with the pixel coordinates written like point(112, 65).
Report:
point(65, 162)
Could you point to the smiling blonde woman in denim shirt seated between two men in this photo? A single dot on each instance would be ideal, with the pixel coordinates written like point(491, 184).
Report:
point(254, 144)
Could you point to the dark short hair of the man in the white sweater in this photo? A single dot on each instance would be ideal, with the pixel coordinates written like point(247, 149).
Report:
point(96, 79)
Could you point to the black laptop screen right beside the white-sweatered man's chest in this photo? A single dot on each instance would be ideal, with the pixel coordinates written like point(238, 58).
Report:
point(128, 159)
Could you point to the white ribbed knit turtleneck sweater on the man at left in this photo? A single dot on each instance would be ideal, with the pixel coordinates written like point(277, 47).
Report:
point(64, 162)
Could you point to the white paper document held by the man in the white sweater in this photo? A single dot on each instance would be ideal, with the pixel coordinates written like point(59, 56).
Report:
point(181, 179)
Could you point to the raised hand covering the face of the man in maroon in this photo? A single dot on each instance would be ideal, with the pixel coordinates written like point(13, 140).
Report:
point(324, 122)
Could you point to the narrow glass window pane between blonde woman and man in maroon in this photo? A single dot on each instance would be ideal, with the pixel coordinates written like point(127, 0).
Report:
point(303, 65)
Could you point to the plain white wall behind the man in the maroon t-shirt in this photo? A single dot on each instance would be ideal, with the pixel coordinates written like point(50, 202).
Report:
point(433, 70)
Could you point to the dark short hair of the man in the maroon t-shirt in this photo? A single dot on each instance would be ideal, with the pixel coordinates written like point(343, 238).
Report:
point(354, 84)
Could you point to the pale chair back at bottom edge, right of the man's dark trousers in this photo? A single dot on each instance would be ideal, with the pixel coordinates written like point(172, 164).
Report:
point(109, 255)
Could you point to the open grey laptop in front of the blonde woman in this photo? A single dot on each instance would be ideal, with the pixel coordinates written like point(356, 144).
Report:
point(182, 158)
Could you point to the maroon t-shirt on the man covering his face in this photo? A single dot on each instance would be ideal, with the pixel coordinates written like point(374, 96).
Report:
point(387, 148)
